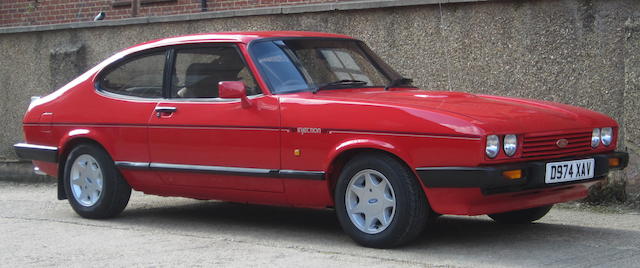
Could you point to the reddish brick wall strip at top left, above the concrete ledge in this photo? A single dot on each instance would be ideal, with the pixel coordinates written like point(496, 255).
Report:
point(41, 12)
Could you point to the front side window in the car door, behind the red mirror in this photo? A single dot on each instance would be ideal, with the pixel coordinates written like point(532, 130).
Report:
point(197, 72)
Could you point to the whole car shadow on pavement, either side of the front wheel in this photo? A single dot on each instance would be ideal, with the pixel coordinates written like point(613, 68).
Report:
point(321, 226)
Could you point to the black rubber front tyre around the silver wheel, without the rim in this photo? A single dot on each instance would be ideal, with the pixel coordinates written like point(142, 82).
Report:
point(411, 209)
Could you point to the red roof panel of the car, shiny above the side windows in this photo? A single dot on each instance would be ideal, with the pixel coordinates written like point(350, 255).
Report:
point(237, 37)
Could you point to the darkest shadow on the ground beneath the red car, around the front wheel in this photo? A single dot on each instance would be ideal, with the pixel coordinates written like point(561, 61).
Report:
point(446, 229)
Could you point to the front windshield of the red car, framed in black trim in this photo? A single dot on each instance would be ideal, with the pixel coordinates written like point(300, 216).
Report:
point(295, 65)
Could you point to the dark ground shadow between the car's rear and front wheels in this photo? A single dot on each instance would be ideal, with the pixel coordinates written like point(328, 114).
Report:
point(238, 219)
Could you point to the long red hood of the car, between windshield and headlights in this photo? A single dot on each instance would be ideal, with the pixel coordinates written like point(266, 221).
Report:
point(490, 113)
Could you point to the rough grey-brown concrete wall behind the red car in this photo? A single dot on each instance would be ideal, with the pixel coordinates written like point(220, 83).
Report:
point(579, 52)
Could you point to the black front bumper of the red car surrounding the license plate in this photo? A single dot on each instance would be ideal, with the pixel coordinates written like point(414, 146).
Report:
point(490, 179)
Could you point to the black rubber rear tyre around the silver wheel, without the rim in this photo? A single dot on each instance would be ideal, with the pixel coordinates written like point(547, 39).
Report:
point(115, 193)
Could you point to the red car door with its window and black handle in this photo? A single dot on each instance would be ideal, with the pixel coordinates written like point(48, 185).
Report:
point(197, 139)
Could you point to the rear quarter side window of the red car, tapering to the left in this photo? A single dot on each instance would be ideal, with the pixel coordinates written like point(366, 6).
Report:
point(140, 76)
